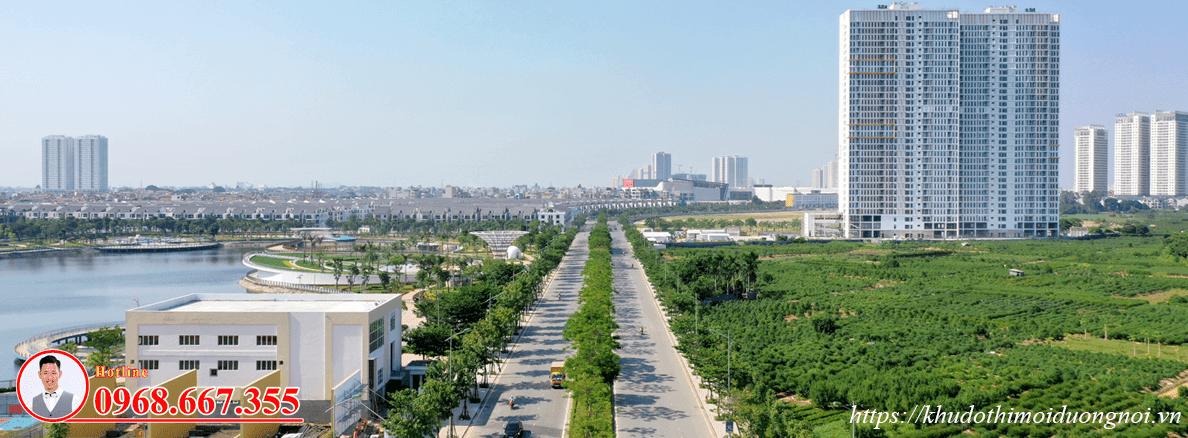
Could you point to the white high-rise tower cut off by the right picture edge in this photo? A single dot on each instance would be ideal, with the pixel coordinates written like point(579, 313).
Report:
point(1170, 154)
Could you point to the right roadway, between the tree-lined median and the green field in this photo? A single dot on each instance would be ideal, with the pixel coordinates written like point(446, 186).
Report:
point(654, 396)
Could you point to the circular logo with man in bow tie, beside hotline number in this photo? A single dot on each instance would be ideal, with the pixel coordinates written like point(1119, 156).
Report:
point(55, 378)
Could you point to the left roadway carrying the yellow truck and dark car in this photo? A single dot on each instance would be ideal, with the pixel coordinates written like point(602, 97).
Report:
point(526, 374)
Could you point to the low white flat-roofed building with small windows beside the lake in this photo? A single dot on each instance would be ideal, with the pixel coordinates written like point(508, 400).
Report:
point(319, 342)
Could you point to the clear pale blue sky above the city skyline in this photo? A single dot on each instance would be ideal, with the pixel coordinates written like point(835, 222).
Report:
point(489, 93)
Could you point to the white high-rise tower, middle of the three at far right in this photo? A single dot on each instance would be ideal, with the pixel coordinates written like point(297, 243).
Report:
point(1133, 155)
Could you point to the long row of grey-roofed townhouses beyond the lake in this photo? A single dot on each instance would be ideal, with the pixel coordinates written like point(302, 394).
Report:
point(313, 213)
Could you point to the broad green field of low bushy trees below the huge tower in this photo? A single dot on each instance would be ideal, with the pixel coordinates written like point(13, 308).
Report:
point(890, 327)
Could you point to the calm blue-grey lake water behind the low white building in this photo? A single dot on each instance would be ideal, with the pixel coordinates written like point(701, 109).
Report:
point(41, 294)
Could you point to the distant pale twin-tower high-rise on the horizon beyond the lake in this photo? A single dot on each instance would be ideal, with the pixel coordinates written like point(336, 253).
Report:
point(74, 164)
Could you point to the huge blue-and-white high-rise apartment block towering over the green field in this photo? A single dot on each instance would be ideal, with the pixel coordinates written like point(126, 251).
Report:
point(949, 123)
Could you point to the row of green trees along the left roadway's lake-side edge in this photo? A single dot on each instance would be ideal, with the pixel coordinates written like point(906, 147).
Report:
point(467, 326)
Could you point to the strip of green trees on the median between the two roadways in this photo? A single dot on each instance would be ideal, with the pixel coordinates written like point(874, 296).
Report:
point(591, 372)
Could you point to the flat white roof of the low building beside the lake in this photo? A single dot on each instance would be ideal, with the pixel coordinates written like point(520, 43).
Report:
point(270, 303)
